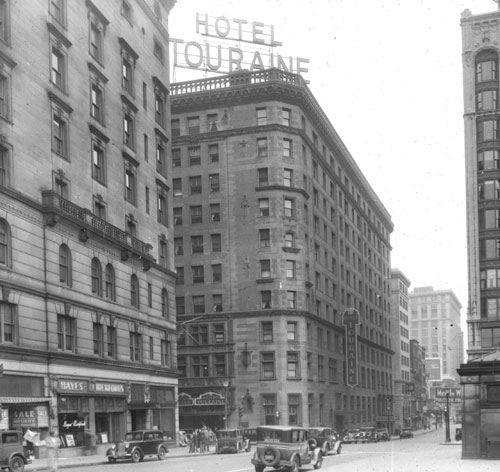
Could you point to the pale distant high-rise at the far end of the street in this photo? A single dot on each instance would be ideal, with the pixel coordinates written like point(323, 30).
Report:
point(435, 323)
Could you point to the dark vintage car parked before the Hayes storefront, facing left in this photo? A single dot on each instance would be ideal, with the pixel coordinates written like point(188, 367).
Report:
point(139, 444)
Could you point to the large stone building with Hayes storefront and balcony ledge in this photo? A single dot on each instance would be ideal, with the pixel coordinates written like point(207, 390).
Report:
point(87, 315)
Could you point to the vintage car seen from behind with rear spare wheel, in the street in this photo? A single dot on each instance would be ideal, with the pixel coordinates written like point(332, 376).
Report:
point(285, 446)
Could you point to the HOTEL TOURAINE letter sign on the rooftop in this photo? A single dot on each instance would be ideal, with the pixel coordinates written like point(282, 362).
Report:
point(219, 57)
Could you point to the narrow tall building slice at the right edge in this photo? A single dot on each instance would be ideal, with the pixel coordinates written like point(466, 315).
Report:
point(480, 376)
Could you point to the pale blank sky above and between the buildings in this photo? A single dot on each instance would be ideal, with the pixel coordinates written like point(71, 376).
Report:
point(388, 74)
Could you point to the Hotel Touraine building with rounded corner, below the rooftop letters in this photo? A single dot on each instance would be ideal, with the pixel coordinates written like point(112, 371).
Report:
point(277, 233)
